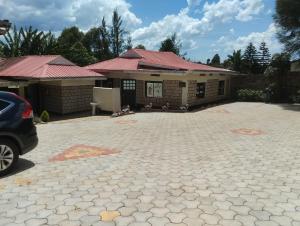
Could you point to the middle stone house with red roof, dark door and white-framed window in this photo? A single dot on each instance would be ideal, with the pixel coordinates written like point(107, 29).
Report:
point(162, 77)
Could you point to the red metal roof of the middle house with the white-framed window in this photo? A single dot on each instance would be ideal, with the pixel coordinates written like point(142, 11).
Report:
point(138, 59)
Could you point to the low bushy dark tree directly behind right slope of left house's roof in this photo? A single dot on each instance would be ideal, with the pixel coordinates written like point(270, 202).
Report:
point(79, 55)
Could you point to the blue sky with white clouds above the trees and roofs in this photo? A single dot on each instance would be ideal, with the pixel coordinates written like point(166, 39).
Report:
point(204, 27)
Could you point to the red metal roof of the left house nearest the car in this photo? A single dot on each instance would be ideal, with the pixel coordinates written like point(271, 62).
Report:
point(43, 67)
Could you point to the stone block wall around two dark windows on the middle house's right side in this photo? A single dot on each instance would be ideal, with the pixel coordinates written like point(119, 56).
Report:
point(211, 92)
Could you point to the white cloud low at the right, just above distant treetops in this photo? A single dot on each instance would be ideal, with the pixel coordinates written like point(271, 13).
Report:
point(268, 36)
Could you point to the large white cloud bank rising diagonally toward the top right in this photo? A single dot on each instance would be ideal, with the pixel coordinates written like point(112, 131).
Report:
point(190, 28)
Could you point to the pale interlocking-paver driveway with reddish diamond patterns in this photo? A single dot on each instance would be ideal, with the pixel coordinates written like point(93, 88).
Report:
point(235, 164)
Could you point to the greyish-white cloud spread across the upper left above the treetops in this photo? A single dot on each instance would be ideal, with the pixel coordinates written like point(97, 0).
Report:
point(57, 14)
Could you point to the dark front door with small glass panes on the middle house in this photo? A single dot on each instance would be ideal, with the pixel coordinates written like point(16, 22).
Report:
point(128, 92)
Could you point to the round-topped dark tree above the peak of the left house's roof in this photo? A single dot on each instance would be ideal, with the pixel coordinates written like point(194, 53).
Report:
point(68, 38)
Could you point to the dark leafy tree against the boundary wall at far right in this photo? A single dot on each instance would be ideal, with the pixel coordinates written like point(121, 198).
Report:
point(276, 76)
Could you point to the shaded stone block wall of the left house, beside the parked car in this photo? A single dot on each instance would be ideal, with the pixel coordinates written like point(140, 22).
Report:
point(66, 99)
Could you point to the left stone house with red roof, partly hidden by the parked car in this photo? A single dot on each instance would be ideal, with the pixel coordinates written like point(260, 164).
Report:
point(49, 82)
